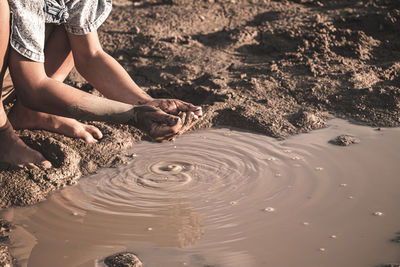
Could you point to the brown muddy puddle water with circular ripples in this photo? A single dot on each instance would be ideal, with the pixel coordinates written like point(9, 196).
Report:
point(228, 198)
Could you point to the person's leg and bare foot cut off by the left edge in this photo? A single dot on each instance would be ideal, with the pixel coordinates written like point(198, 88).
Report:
point(13, 151)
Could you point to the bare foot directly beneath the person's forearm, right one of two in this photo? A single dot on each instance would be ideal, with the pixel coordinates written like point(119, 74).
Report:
point(24, 118)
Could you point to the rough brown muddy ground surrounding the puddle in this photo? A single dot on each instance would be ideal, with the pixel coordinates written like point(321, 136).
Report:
point(274, 67)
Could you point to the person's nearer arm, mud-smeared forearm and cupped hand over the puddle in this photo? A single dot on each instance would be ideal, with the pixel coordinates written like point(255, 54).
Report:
point(41, 93)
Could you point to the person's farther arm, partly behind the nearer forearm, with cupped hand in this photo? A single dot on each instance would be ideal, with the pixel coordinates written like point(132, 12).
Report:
point(110, 78)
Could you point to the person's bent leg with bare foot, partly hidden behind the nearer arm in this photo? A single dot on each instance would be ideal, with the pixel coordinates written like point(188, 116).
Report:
point(59, 62)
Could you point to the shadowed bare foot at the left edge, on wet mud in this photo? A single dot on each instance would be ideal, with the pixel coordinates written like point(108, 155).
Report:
point(14, 152)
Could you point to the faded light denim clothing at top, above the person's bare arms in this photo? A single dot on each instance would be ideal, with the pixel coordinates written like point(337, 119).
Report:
point(29, 18)
